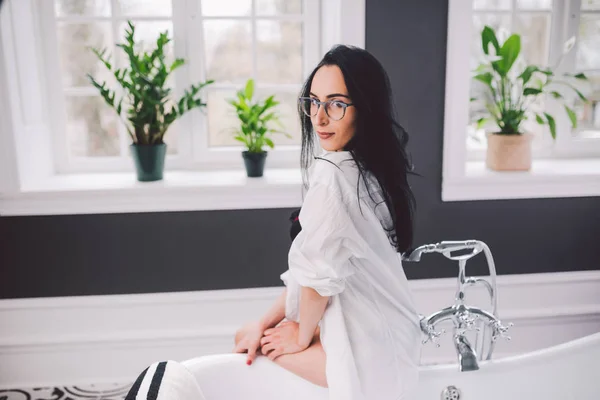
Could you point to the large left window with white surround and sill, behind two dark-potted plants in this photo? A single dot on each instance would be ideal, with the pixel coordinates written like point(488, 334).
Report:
point(67, 153)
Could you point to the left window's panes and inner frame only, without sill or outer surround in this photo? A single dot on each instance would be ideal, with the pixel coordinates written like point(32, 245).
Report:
point(275, 42)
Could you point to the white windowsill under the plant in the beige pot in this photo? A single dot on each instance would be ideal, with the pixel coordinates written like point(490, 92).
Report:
point(547, 178)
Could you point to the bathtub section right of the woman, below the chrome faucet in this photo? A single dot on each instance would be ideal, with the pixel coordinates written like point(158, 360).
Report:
point(570, 371)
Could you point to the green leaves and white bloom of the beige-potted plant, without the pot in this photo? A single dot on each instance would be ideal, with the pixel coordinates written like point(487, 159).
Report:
point(509, 94)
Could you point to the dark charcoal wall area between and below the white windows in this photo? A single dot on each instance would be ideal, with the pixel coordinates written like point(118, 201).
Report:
point(160, 252)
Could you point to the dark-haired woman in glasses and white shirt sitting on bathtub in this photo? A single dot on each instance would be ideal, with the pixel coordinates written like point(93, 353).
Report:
point(346, 321)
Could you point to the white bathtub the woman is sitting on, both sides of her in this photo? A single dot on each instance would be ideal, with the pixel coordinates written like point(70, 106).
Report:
point(570, 371)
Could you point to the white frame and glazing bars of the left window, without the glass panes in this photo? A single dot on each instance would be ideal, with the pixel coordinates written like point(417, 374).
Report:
point(193, 152)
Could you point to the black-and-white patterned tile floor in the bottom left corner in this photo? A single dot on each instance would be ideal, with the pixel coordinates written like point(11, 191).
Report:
point(79, 392)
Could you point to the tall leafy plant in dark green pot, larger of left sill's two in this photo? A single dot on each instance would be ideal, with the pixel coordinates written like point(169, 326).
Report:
point(146, 101)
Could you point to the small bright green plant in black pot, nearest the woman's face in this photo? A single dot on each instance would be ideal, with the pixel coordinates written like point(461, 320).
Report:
point(256, 125)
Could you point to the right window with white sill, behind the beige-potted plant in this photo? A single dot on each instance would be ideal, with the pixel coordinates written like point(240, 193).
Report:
point(568, 167)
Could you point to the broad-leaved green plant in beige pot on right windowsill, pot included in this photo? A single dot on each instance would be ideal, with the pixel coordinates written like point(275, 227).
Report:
point(509, 96)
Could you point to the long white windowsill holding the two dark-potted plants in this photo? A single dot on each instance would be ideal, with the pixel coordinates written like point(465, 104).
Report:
point(178, 191)
